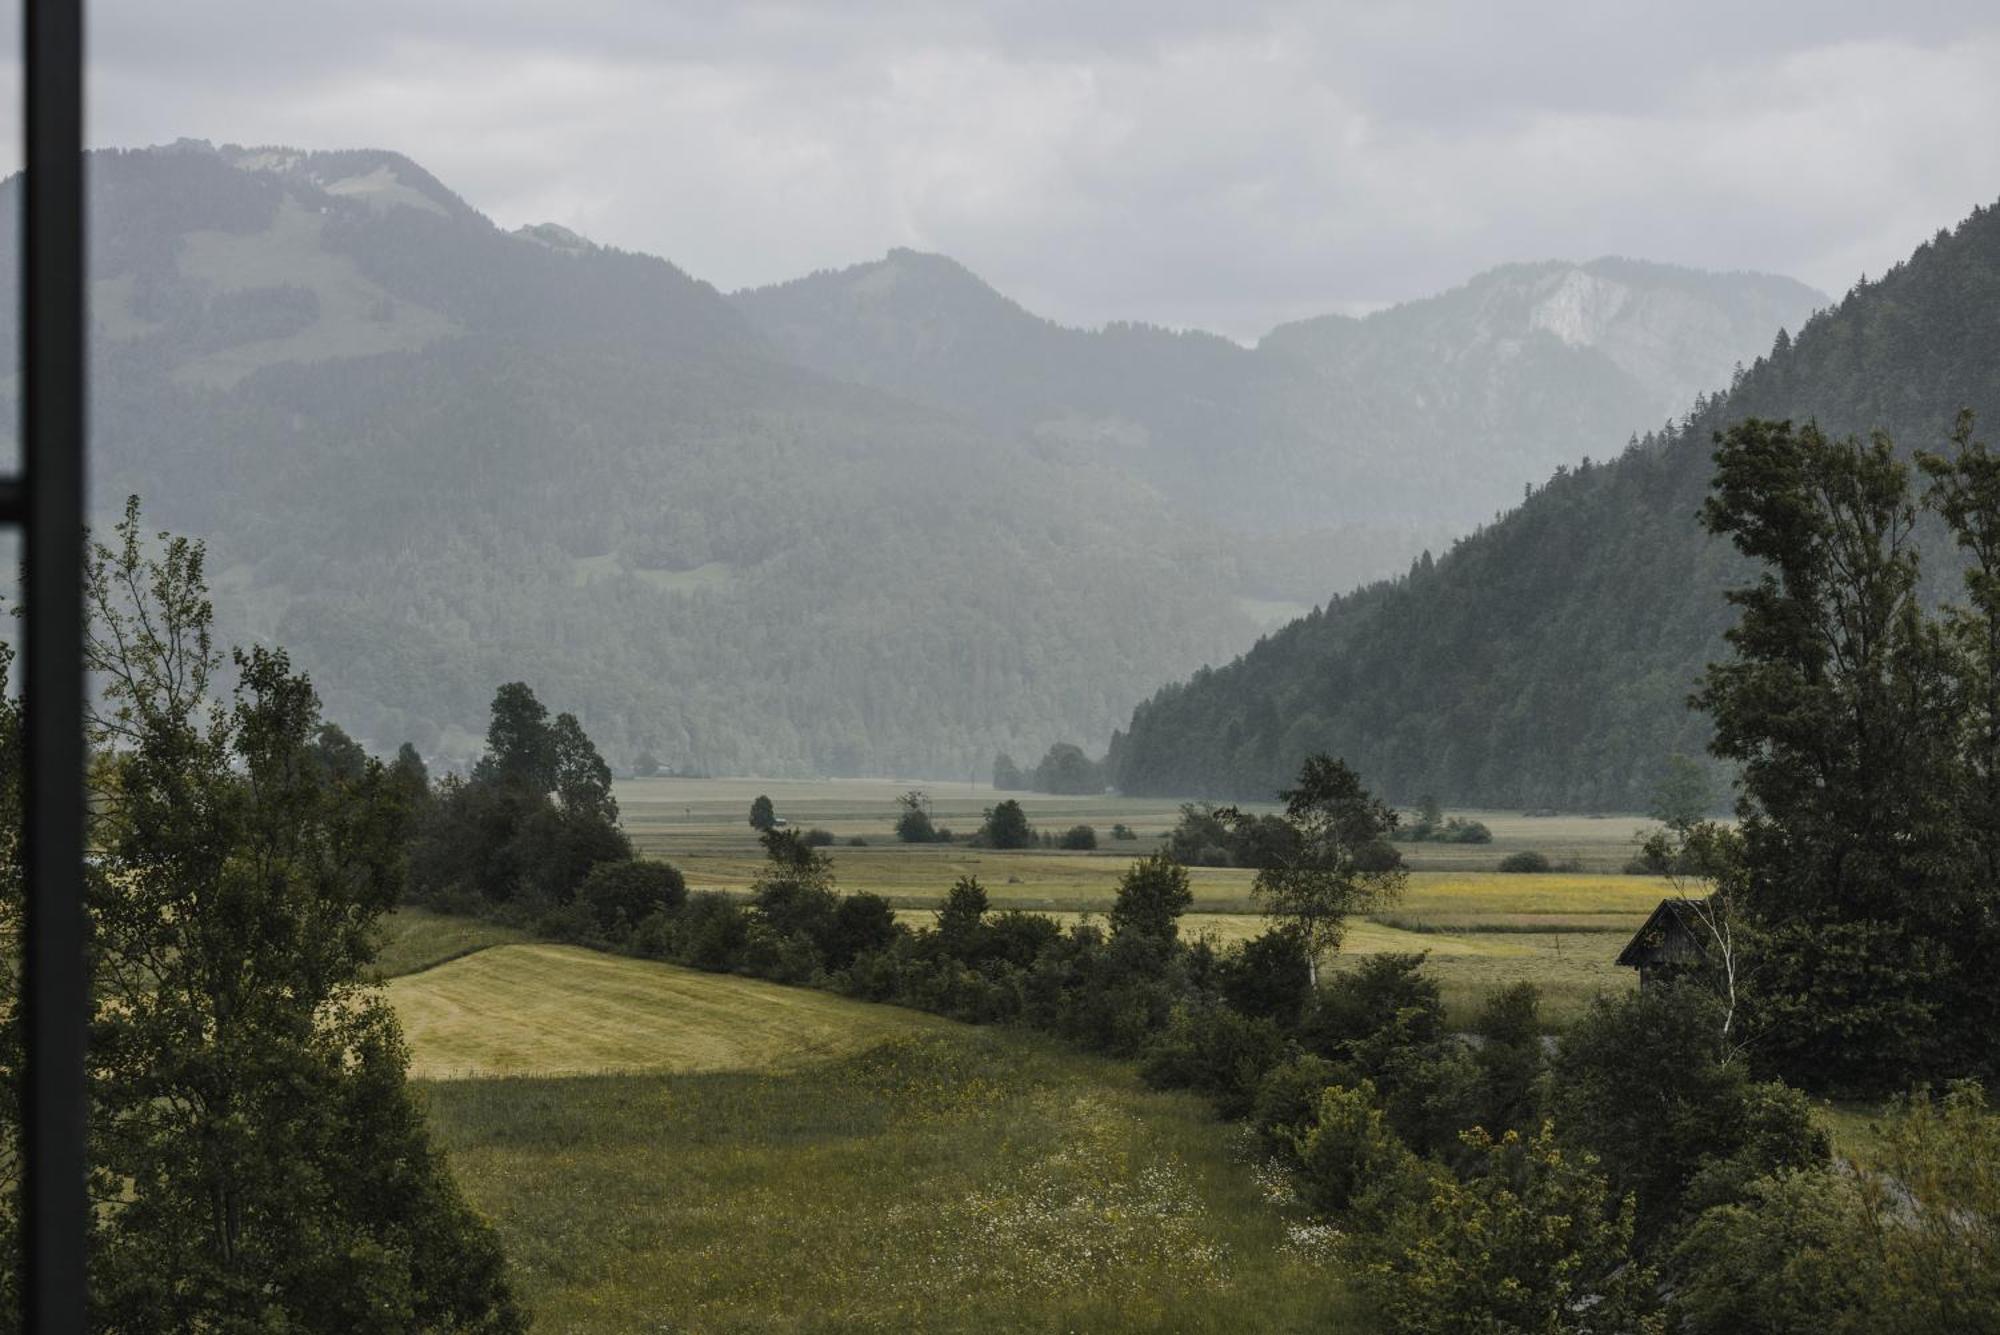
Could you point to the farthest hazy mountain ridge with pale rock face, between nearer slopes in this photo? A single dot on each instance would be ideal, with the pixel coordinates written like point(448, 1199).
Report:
point(1419, 419)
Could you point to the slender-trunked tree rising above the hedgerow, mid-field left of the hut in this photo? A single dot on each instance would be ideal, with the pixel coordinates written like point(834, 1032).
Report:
point(1337, 868)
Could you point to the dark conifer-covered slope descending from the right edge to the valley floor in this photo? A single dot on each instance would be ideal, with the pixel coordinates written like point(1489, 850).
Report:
point(1547, 661)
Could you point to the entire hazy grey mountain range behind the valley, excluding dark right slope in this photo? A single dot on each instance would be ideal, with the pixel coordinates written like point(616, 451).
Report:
point(871, 523)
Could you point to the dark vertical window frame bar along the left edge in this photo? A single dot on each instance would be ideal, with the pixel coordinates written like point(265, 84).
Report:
point(55, 990)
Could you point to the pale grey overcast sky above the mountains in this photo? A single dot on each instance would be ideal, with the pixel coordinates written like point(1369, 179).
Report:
point(1223, 165)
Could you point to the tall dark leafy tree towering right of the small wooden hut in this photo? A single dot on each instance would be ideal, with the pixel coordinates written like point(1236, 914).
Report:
point(1843, 706)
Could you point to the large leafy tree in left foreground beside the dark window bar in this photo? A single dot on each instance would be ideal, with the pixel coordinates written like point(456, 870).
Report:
point(257, 1156)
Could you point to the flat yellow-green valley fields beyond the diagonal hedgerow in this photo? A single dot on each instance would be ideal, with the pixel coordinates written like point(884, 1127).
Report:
point(1483, 928)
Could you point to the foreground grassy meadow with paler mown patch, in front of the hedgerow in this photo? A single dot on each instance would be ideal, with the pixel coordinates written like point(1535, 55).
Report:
point(857, 1170)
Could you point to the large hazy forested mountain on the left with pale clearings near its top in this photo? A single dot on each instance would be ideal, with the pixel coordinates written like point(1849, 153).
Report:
point(433, 457)
